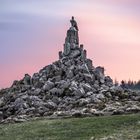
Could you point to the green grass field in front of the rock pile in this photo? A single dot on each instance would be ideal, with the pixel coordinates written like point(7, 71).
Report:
point(125, 127)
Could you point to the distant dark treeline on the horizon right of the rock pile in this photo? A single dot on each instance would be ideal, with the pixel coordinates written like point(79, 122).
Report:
point(129, 84)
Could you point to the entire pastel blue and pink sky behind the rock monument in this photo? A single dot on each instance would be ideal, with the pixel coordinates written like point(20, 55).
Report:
point(33, 31)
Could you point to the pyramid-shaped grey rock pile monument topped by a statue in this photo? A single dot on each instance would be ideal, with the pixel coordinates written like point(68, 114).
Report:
point(71, 86)
